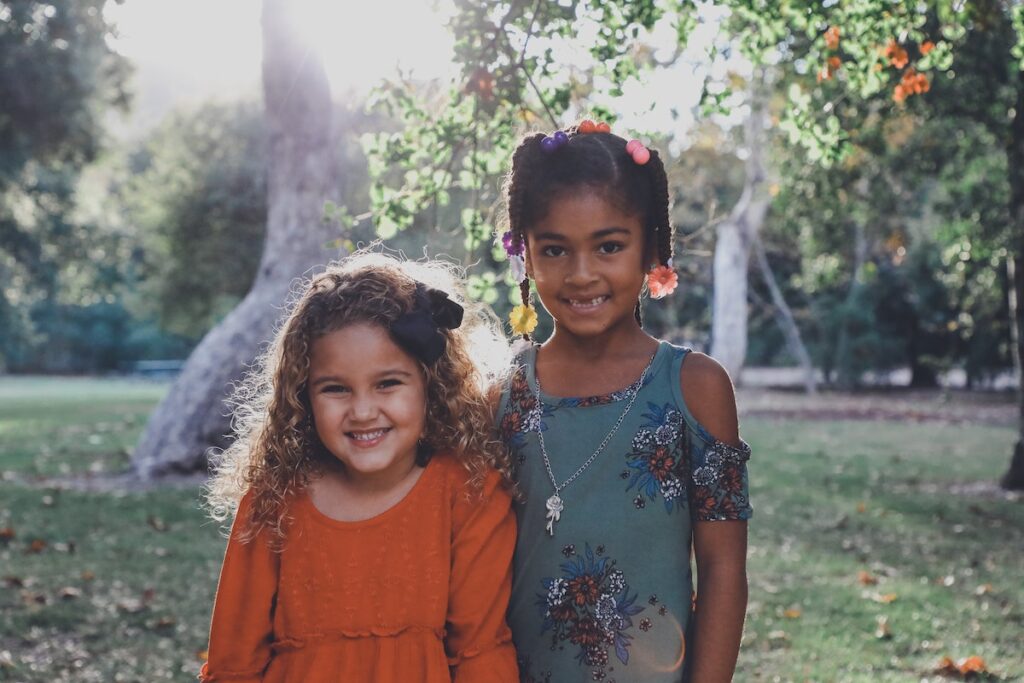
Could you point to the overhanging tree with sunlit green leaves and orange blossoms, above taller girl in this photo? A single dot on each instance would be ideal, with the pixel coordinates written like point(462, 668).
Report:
point(845, 62)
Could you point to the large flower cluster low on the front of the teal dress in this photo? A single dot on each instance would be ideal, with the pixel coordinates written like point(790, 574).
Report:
point(590, 606)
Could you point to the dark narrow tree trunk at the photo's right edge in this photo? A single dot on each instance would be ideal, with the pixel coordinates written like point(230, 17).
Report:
point(1014, 479)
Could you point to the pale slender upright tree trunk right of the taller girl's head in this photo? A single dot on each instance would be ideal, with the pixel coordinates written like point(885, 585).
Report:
point(733, 249)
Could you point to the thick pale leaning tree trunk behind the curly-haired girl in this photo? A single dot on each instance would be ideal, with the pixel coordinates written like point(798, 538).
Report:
point(194, 416)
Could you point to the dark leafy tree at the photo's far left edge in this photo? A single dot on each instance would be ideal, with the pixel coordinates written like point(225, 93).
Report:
point(58, 80)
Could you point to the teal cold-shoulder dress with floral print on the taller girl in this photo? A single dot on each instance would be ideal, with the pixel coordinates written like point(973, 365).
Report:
point(609, 597)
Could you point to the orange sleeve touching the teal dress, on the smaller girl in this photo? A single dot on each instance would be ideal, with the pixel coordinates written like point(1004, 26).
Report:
point(480, 643)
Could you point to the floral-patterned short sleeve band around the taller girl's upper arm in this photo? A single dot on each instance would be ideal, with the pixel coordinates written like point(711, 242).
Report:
point(719, 482)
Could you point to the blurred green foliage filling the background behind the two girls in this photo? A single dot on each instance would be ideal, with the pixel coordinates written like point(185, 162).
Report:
point(113, 251)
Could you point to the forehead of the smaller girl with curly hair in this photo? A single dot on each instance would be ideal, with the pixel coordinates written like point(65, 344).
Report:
point(361, 350)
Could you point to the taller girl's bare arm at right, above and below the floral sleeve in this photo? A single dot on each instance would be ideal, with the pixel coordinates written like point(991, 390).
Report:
point(720, 547)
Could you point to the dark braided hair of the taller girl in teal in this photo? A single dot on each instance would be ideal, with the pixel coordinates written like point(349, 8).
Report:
point(596, 161)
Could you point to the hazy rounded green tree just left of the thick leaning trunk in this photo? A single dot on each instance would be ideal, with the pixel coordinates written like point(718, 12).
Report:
point(197, 191)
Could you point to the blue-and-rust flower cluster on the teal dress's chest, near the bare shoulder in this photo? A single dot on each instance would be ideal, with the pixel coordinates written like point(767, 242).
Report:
point(658, 462)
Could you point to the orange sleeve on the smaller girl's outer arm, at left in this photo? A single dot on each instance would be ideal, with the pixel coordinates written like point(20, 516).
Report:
point(242, 628)
